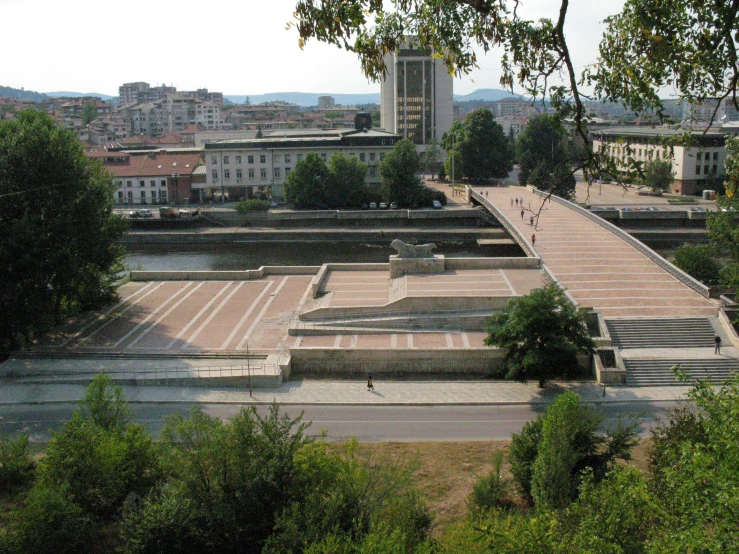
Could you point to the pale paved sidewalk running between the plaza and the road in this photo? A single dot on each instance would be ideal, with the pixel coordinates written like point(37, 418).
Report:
point(320, 392)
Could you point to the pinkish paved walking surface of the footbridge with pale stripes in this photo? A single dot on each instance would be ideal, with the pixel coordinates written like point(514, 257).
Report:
point(596, 266)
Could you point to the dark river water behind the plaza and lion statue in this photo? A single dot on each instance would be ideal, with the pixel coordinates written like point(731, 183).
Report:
point(242, 256)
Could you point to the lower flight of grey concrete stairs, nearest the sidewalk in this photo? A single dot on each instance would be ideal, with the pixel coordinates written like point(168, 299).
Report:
point(658, 371)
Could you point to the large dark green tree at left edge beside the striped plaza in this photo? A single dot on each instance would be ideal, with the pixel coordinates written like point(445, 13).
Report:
point(59, 250)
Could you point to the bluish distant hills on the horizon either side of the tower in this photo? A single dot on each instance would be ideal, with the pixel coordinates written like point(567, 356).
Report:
point(305, 99)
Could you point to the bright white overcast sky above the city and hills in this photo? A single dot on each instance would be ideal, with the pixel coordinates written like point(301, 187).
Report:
point(235, 47)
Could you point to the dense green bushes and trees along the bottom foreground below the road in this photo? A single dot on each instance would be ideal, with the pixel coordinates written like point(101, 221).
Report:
point(259, 483)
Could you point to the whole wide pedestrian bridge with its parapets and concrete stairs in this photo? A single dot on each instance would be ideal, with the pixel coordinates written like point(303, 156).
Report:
point(653, 315)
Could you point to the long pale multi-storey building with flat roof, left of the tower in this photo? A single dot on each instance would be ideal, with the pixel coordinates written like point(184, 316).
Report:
point(246, 168)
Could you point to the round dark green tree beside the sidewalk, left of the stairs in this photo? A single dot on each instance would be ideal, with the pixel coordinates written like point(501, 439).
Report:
point(542, 334)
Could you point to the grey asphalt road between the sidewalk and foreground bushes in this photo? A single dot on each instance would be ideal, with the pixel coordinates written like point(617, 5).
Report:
point(366, 423)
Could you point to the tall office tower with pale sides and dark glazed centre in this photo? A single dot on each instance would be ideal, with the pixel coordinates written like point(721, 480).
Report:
point(416, 96)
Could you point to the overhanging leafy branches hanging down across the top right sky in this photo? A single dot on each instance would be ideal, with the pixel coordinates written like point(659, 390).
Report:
point(651, 45)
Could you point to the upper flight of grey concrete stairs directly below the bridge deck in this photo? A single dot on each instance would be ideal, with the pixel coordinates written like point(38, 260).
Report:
point(686, 332)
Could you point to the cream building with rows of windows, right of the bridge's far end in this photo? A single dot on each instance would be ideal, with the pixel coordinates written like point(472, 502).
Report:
point(694, 168)
